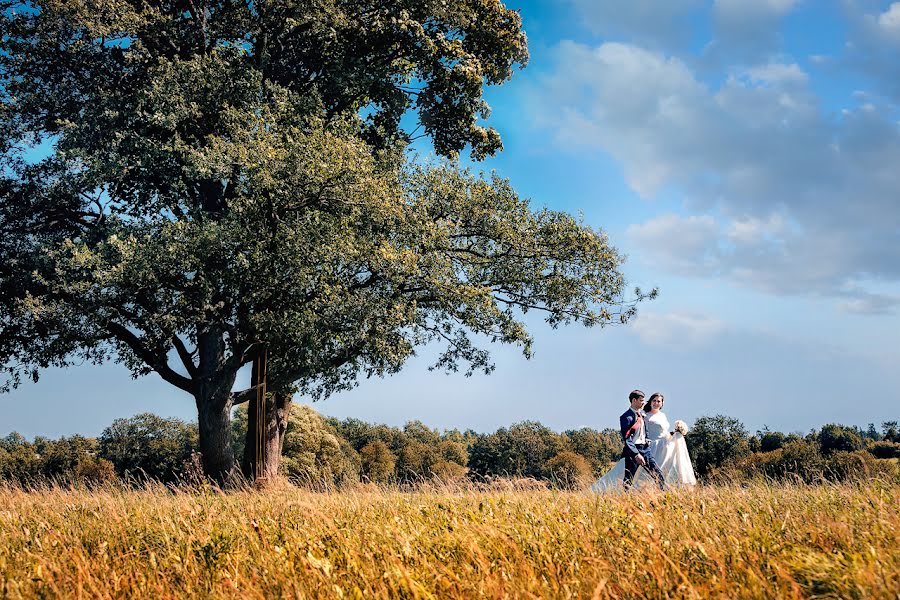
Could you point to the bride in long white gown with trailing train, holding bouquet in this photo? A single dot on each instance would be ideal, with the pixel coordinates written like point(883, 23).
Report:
point(669, 451)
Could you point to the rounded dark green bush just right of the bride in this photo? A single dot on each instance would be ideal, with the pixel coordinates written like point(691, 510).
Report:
point(715, 441)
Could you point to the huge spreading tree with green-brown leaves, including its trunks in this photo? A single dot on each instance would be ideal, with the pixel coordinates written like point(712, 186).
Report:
point(227, 179)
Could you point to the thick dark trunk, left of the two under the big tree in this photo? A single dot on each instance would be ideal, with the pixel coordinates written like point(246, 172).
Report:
point(213, 397)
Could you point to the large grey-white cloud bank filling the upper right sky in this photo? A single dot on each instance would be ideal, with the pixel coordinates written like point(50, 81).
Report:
point(781, 196)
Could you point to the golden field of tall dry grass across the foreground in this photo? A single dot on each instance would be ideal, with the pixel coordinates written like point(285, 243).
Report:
point(758, 541)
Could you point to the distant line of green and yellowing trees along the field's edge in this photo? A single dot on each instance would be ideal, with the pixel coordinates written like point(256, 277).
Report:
point(326, 452)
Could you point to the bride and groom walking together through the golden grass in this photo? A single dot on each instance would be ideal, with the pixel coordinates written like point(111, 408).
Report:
point(650, 450)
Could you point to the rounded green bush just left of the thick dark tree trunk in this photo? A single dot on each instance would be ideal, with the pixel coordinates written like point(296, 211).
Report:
point(147, 445)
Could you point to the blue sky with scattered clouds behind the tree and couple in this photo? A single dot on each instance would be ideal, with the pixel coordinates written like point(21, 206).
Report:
point(743, 154)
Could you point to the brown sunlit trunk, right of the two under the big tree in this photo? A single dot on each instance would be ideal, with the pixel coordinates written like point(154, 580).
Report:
point(262, 456)
